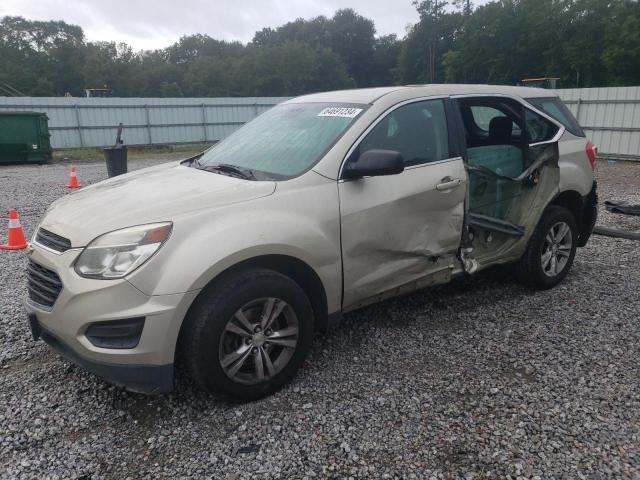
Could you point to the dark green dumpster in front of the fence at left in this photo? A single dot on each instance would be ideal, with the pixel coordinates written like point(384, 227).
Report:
point(24, 137)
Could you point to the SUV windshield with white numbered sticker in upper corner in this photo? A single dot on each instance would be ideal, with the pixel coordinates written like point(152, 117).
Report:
point(284, 142)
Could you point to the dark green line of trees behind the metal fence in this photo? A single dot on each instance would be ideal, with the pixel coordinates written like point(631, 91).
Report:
point(587, 43)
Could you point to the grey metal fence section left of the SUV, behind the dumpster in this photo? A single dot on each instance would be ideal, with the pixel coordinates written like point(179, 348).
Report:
point(93, 122)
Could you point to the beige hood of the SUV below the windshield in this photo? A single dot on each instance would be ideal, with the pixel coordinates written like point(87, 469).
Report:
point(155, 194)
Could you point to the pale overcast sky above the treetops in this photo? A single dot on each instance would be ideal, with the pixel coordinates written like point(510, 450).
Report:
point(159, 23)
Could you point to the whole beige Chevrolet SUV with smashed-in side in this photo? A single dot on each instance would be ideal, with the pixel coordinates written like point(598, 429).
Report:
point(324, 204)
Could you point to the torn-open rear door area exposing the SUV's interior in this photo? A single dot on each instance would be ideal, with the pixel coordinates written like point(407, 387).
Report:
point(505, 168)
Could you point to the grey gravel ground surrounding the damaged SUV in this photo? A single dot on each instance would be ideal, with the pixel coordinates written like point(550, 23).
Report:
point(477, 379)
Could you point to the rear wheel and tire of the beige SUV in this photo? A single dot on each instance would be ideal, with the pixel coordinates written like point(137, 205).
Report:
point(536, 268)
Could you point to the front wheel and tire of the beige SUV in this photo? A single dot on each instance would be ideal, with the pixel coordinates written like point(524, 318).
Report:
point(217, 340)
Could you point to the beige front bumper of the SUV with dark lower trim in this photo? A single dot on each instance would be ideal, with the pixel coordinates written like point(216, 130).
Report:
point(148, 367)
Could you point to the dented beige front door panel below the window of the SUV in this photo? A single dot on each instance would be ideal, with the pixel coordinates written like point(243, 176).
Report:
point(400, 232)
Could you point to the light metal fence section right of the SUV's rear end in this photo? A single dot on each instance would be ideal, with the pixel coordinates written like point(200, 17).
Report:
point(610, 118)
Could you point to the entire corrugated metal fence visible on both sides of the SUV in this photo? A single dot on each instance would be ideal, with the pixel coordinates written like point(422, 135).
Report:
point(610, 117)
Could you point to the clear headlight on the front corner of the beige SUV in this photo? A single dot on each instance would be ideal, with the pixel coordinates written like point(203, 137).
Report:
point(116, 254)
